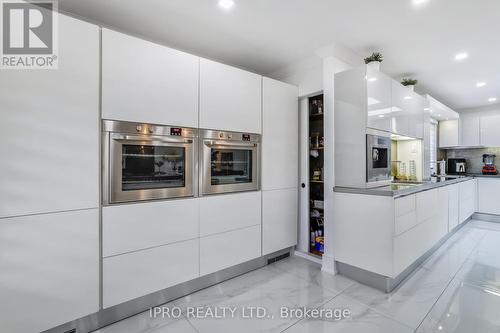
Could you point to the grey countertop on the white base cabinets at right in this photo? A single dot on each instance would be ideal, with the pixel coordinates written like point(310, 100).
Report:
point(401, 189)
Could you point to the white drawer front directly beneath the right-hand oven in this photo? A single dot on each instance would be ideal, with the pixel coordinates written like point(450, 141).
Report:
point(221, 213)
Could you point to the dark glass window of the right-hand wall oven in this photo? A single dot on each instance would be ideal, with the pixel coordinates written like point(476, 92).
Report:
point(231, 166)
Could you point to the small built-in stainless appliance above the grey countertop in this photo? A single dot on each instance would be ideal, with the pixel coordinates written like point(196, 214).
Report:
point(378, 158)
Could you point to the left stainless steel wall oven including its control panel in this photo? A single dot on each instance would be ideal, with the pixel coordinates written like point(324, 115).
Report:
point(146, 162)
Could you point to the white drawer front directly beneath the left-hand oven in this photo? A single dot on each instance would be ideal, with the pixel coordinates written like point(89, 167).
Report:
point(138, 226)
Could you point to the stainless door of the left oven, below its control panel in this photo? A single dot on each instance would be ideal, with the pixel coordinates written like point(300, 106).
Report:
point(143, 167)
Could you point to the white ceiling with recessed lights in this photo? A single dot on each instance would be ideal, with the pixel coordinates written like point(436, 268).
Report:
point(266, 35)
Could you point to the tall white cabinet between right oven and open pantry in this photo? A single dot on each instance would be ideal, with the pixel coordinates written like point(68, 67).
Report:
point(279, 165)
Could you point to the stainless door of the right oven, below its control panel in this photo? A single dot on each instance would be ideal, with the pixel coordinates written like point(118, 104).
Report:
point(229, 167)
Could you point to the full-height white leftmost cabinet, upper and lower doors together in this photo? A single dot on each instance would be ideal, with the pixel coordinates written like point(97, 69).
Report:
point(49, 193)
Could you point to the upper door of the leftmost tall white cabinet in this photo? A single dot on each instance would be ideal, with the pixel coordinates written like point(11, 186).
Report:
point(50, 125)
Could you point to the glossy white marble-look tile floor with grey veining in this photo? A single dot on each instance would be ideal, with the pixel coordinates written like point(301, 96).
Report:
point(456, 290)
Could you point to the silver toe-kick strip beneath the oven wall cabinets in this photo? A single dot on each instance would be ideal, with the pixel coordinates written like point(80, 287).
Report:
point(119, 312)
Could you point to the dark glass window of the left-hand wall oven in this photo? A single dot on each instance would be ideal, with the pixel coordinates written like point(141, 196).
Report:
point(152, 167)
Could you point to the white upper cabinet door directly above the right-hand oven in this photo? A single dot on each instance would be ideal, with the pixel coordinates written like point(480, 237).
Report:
point(230, 98)
